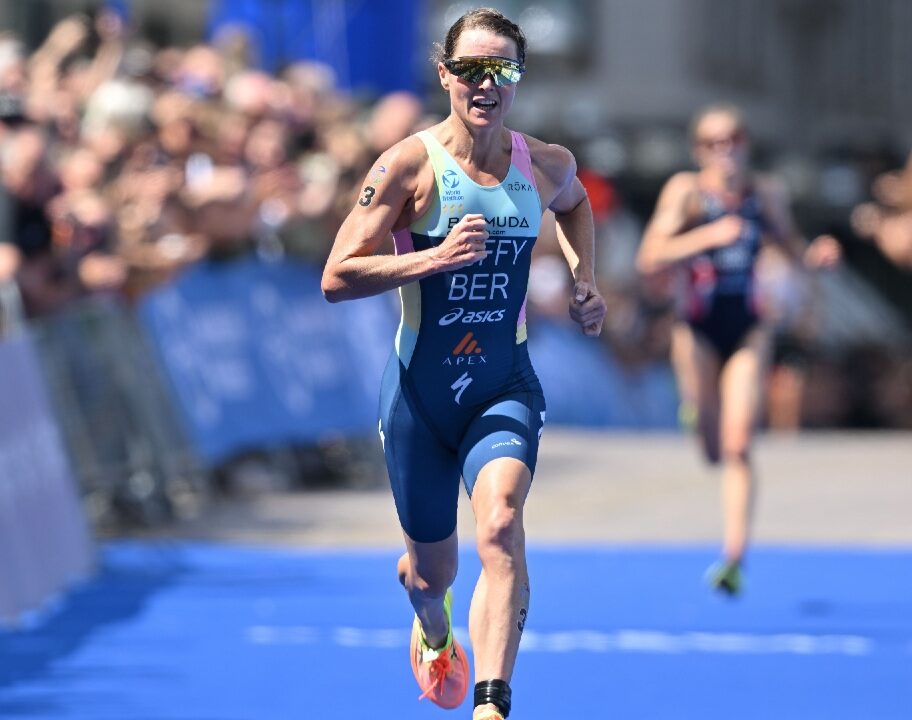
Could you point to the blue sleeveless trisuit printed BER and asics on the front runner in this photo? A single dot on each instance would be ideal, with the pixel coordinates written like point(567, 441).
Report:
point(459, 389)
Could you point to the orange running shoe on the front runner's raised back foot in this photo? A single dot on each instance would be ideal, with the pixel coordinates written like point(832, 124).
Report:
point(442, 674)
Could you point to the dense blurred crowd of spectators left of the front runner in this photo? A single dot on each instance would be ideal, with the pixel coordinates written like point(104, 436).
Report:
point(122, 162)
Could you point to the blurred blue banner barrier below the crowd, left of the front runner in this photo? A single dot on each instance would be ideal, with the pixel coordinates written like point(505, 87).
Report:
point(257, 358)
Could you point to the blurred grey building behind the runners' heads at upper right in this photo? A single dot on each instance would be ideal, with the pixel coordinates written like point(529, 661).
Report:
point(811, 73)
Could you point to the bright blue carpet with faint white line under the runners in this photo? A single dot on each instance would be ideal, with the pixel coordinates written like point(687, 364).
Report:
point(211, 632)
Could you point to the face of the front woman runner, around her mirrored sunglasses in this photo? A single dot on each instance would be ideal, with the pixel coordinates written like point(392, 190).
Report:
point(481, 103)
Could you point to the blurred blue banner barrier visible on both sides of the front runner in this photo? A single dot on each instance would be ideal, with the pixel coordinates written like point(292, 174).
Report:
point(258, 358)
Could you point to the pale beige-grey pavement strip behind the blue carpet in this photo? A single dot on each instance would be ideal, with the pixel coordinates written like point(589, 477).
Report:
point(606, 487)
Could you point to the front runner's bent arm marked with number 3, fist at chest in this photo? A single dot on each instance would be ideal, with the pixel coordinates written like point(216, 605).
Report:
point(353, 270)
